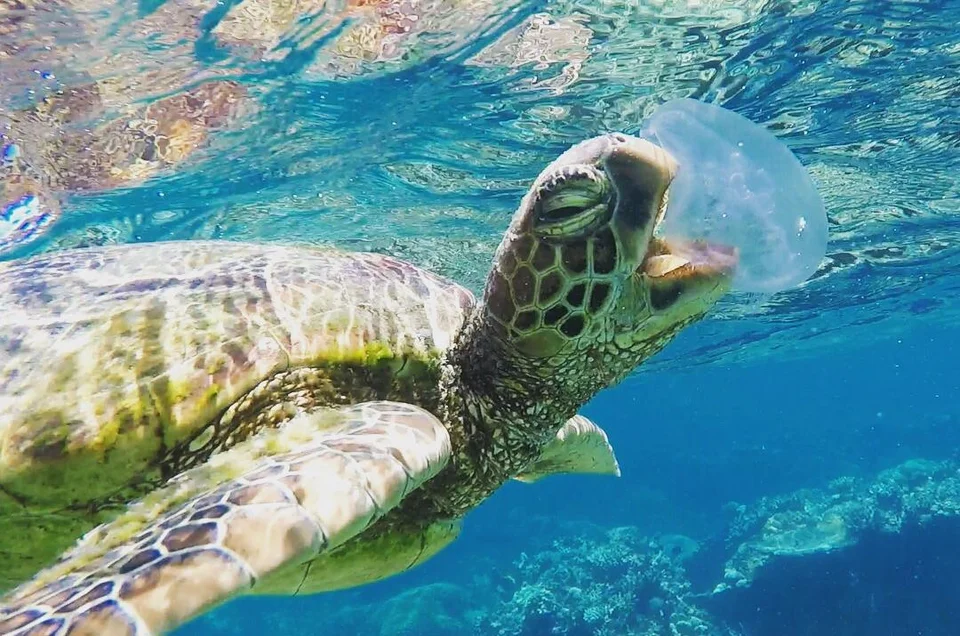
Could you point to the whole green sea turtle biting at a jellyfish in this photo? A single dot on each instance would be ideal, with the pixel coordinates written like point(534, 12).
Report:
point(267, 419)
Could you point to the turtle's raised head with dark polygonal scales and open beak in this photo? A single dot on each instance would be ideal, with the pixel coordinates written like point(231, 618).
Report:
point(582, 291)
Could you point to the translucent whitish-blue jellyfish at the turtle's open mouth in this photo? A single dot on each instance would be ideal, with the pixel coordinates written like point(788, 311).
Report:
point(740, 186)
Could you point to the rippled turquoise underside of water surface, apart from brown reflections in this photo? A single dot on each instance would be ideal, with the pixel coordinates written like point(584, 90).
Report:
point(422, 145)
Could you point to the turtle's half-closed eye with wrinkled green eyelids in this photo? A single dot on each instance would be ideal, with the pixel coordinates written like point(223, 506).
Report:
point(571, 201)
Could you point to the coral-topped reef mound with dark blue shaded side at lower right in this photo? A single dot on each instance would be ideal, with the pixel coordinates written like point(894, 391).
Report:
point(862, 556)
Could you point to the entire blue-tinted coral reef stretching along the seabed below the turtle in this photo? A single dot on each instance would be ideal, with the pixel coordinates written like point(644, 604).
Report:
point(861, 556)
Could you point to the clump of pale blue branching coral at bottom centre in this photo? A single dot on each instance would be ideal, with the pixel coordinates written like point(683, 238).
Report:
point(616, 582)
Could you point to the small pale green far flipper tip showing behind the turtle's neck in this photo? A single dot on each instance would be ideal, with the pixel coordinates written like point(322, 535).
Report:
point(580, 447)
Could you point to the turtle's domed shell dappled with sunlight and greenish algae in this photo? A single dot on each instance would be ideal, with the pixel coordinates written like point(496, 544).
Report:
point(122, 366)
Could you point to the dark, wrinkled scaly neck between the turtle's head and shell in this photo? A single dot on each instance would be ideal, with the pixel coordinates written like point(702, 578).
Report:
point(501, 408)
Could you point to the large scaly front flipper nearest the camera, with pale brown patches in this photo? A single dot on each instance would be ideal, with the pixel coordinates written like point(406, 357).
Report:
point(266, 506)
